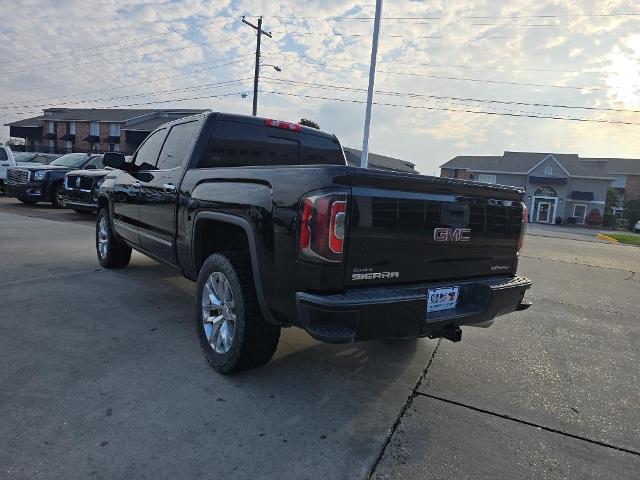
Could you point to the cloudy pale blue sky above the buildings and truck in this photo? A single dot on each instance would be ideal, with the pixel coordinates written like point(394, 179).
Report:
point(436, 60)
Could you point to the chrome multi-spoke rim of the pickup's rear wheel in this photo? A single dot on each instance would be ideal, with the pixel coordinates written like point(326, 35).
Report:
point(218, 312)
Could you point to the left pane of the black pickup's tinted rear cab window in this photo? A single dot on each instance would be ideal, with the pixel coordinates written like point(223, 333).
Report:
point(235, 144)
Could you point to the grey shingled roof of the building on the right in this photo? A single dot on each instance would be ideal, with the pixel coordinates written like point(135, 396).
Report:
point(522, 163)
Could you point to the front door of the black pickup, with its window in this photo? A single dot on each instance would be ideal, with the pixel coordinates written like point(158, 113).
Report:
point(126, 194)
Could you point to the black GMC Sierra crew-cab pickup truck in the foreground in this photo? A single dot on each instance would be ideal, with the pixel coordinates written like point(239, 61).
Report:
point(278, 231)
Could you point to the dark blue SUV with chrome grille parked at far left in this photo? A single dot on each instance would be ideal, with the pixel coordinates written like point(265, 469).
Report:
point(44, 183)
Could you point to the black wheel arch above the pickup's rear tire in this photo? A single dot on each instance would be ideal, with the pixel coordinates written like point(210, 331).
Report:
point(218, 233)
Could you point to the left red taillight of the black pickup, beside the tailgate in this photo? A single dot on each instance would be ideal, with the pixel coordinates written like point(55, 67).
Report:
point(322, 227)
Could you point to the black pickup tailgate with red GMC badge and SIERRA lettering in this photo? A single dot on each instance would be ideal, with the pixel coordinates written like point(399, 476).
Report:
point(407, 228)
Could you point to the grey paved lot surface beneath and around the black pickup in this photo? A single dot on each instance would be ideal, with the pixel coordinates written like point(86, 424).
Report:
point(101, 376)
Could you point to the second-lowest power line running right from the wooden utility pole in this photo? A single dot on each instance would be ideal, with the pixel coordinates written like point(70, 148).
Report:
point(444, 97)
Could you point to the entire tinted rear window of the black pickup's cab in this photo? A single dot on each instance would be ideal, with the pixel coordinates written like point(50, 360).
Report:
point(237, 144)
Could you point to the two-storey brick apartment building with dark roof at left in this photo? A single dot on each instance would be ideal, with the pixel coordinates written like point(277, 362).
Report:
point(67, 130)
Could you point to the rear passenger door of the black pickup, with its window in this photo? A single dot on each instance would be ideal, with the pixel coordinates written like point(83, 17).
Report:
point(159, 192)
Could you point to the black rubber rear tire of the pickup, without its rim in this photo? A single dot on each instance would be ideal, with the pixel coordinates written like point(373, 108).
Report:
point(255, 340)
